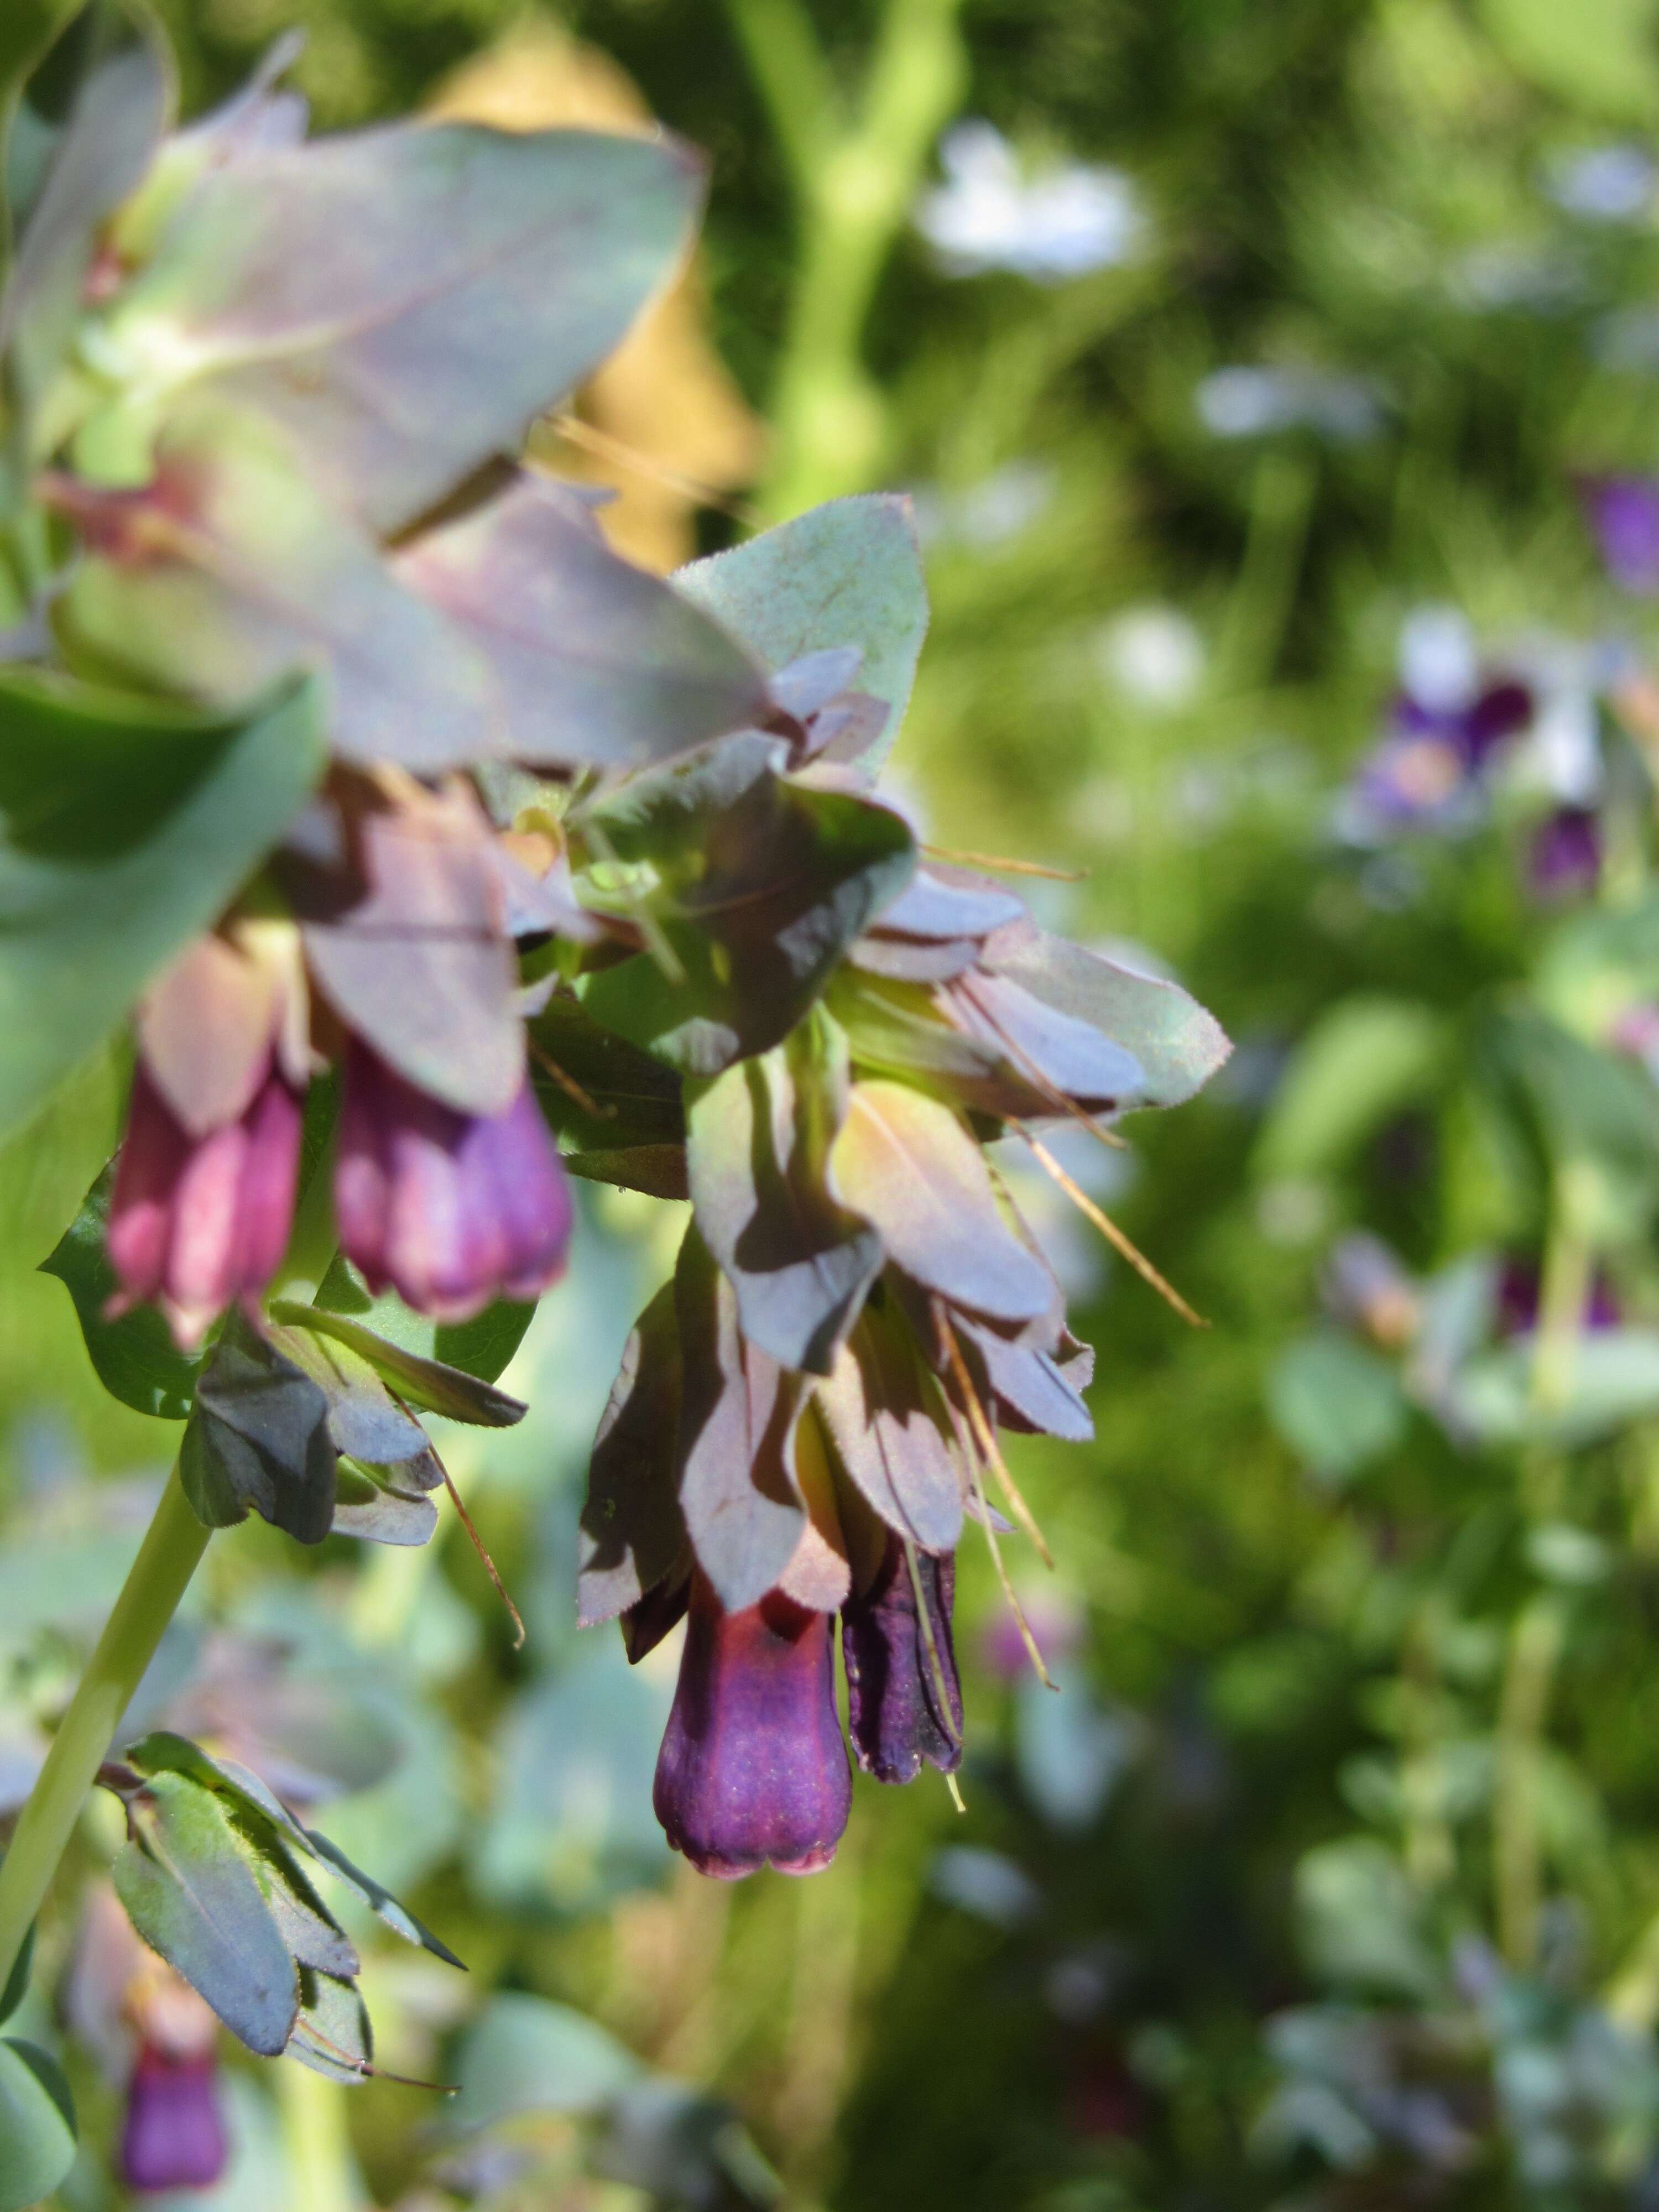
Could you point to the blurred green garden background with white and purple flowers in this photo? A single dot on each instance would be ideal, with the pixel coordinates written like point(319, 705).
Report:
point(1277, 388)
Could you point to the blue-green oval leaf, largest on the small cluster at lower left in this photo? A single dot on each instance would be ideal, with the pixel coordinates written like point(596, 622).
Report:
point(194, 1897)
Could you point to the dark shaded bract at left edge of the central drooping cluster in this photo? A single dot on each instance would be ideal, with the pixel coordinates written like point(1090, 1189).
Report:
point(632, 1523)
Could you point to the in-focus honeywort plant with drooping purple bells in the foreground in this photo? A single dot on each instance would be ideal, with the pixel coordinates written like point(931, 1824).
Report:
point(432, 855)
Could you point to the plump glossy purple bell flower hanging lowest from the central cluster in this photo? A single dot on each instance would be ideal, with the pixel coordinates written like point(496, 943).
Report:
point(753, 1771)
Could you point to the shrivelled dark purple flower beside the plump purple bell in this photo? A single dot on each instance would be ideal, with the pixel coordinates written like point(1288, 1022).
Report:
point(904, 1695)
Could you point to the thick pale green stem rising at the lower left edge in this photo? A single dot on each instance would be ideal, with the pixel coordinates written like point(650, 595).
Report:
point(158, 1578)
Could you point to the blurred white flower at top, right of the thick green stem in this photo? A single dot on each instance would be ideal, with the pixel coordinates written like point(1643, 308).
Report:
point(1052, 227)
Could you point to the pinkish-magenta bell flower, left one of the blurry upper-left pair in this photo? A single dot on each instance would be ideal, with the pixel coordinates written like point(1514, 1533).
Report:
point(198, 1222)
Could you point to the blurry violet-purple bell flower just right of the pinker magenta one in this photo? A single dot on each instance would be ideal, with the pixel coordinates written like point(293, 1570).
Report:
point(448, 1209)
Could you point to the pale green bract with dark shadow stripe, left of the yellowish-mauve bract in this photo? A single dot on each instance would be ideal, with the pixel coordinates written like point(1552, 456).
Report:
point(758, 1162)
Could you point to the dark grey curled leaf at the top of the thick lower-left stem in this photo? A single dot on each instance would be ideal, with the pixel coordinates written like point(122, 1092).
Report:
point(260, 1441)
